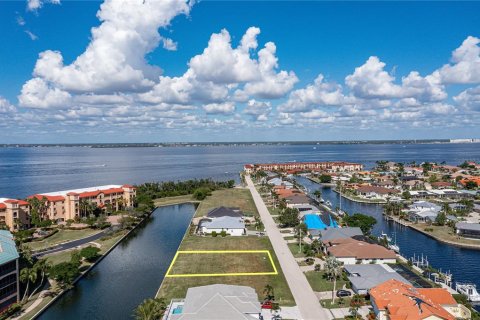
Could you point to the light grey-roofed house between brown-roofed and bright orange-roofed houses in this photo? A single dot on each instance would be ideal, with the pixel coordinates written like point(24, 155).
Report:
point(364, 277)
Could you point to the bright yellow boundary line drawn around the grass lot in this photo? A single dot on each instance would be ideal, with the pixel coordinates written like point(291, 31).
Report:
point(168, 275)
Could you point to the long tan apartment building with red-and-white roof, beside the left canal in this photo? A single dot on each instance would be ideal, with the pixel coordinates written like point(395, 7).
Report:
point(71, 204)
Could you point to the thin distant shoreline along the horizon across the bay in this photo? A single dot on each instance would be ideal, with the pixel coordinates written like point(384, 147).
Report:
point(233, 144)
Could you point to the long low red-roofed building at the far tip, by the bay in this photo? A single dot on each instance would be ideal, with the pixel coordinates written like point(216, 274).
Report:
point(335, 166)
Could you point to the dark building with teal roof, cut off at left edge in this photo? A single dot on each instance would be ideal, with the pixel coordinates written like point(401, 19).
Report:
point(9, 272)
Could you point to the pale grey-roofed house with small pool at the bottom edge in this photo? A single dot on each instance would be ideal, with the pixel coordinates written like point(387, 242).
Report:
point(217, 301)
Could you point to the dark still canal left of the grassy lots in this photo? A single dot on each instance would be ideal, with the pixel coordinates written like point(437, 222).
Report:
point(132, 272)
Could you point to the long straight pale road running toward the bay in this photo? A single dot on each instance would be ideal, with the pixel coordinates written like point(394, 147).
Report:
point(305, 298)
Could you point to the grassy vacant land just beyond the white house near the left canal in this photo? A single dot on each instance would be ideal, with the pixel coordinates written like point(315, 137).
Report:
point(240, 198)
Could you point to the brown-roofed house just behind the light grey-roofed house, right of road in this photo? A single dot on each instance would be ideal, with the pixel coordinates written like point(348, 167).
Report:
point(352, 251)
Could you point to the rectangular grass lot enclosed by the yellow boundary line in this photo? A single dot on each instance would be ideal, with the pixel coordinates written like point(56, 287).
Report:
point(221, 263)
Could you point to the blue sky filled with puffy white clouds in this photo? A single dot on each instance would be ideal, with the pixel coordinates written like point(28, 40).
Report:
point(359, 52)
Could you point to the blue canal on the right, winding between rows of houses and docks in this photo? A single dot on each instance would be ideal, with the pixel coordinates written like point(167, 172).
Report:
point(464, 264)
